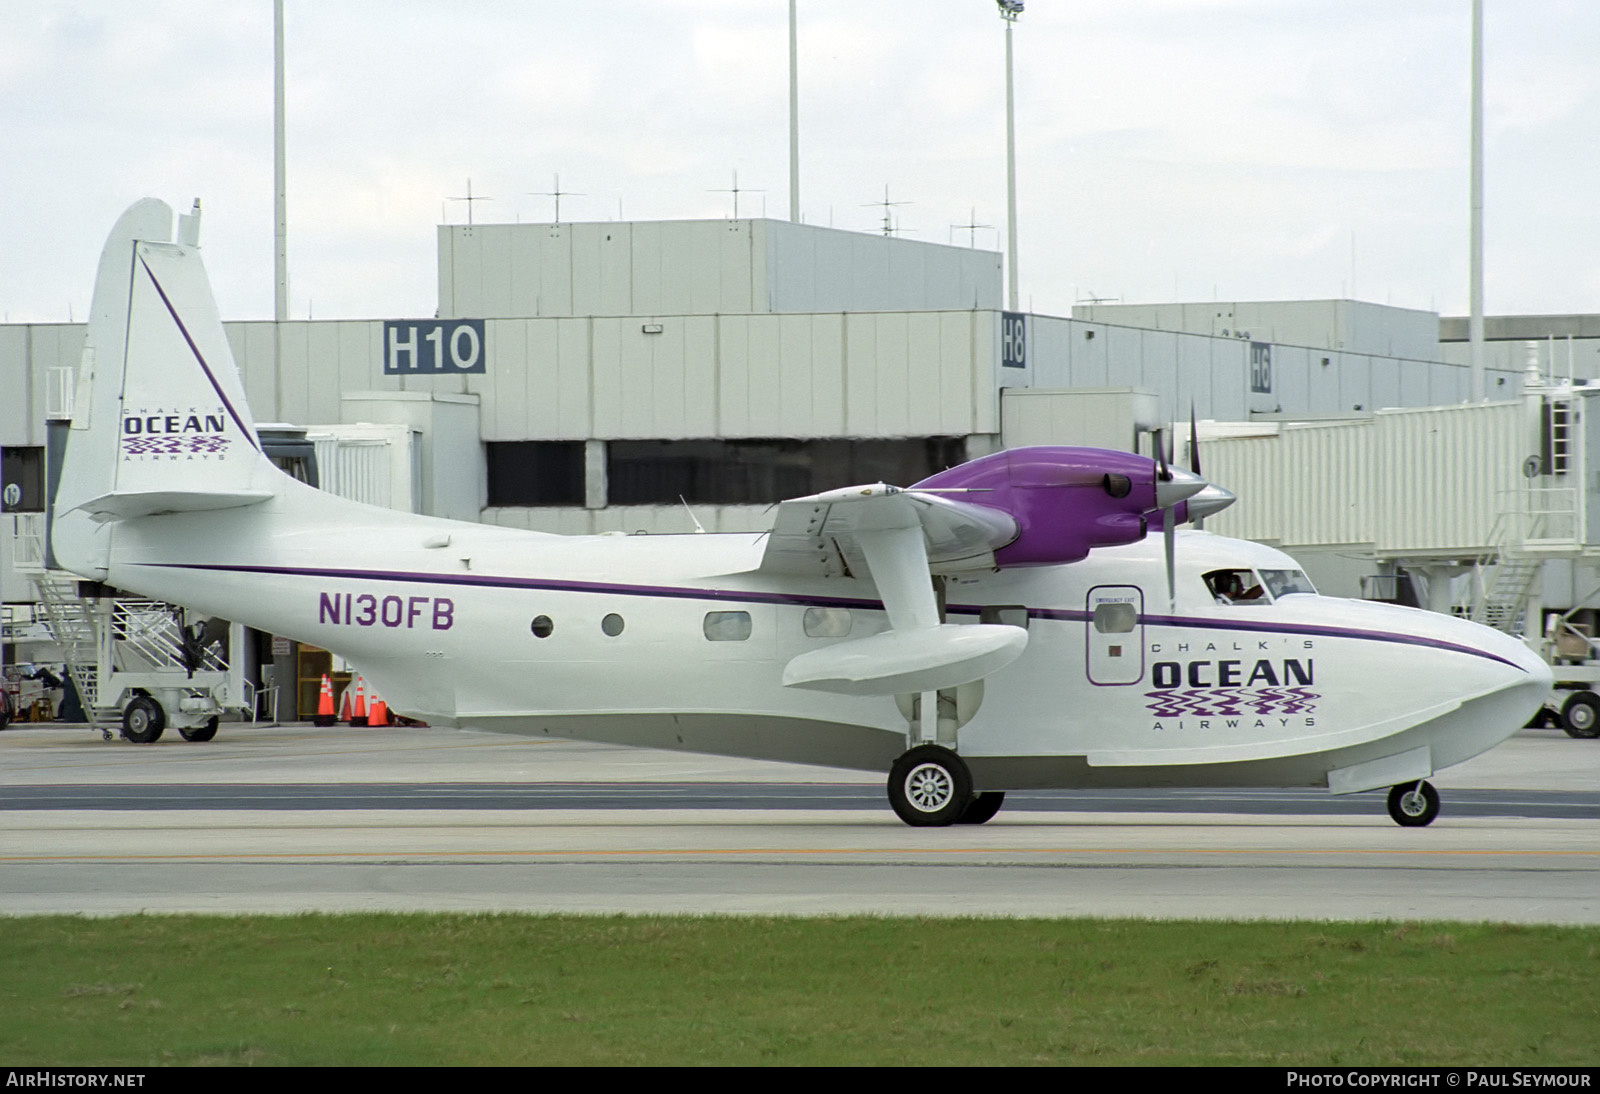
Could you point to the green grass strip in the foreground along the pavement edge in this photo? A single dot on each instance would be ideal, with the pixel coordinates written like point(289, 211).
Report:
point(518, 989)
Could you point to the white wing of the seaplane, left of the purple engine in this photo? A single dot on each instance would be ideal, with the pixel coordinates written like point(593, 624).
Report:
point(822, 537)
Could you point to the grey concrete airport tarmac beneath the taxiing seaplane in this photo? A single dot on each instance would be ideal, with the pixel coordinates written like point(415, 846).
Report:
point(190, 829)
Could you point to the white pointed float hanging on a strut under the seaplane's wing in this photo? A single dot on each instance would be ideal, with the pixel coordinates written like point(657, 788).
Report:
point(908, 661)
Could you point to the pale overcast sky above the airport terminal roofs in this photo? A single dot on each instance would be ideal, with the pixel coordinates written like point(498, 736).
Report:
point(1167, 150)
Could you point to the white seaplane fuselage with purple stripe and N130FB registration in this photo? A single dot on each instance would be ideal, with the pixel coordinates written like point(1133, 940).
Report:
point(679, 642)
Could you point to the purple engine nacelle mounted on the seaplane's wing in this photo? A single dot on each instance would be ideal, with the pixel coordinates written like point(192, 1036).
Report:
point(1066, 501)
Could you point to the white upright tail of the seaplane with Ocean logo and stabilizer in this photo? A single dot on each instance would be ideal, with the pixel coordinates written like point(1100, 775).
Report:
point(161, 421)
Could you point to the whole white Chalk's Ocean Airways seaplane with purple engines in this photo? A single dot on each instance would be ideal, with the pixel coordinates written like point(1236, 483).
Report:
point(1006, 625)
